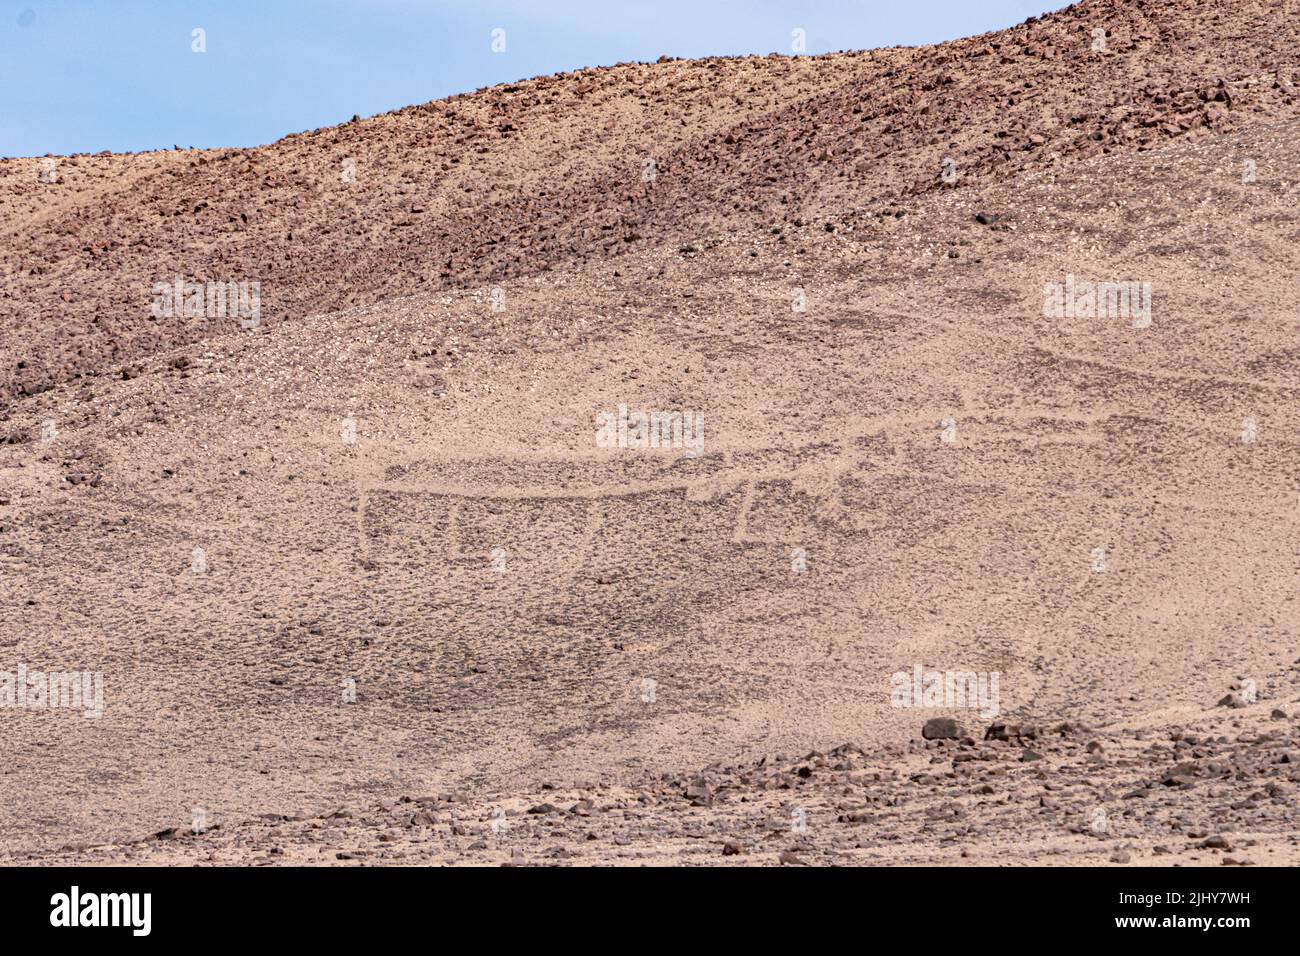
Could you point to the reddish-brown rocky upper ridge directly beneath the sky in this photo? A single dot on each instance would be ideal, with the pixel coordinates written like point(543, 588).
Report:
point(549, 174)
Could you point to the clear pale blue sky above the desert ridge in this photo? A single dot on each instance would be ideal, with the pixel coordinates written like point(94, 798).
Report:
point(81, 76)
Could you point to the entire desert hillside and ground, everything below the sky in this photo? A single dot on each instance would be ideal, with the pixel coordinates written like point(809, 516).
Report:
point(365, 586)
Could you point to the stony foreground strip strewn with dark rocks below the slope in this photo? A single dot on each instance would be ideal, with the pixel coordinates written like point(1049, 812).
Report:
point(1219, 791)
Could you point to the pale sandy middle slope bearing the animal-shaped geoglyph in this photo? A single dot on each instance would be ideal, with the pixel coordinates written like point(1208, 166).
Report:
point(374, 561)
